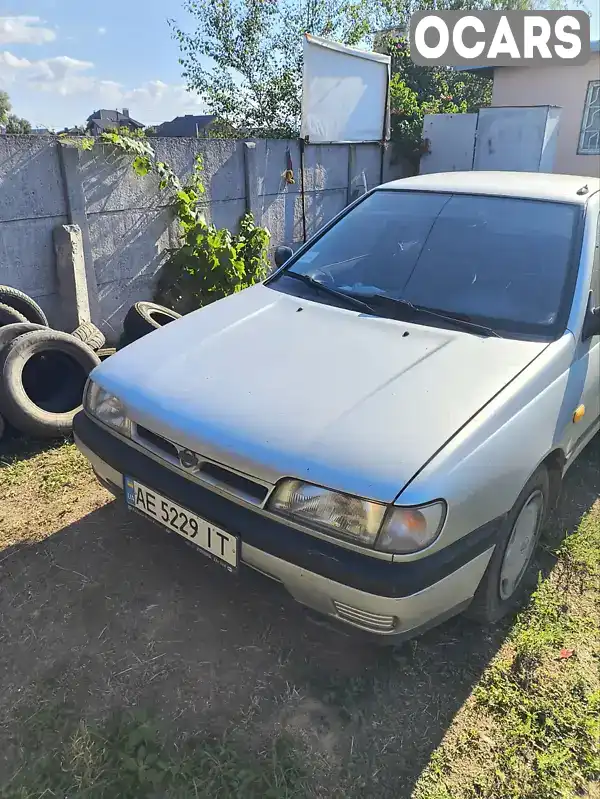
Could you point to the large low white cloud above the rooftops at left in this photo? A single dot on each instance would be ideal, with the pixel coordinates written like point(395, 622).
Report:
point(34, 83)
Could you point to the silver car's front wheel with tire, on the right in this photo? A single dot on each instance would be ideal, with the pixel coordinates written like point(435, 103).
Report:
point(504, 584)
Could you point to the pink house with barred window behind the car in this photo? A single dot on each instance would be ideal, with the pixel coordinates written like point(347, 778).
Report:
point(576, 89)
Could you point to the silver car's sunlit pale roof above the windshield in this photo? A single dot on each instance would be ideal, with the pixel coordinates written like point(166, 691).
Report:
point(527, 185)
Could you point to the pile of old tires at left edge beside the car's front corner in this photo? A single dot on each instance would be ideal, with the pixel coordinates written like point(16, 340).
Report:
point(42, 371)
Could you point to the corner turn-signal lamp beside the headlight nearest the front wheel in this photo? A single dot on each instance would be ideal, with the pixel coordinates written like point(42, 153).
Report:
point(408, 530)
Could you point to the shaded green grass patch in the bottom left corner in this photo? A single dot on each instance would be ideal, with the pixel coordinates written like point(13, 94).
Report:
point(127, 757)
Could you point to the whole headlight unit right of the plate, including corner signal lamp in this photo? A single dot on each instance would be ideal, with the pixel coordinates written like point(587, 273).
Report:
point(388, 529)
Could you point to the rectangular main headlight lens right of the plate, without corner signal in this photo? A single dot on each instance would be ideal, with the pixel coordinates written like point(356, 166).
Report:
point(338, 514)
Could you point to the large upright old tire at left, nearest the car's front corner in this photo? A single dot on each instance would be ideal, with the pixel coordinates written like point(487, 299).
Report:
point(44, 408)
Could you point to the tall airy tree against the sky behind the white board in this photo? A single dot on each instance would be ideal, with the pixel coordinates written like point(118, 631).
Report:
point(255, 82)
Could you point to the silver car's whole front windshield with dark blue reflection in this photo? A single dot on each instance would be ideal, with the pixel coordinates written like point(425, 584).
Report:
point(503, 262)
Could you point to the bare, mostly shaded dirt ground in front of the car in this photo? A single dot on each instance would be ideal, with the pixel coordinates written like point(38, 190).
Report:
point(101, 612)
